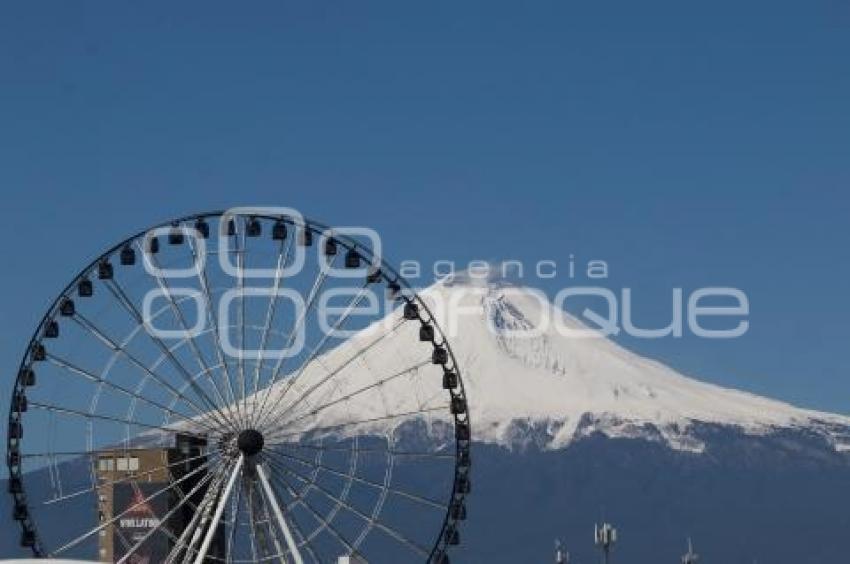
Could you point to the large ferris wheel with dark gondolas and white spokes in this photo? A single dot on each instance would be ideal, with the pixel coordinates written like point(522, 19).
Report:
point(239, 386)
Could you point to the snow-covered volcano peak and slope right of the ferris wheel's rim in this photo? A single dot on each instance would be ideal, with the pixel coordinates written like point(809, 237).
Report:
point(573, 386)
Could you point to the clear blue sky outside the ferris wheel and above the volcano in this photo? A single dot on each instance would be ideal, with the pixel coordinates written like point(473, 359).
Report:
point(687, 144)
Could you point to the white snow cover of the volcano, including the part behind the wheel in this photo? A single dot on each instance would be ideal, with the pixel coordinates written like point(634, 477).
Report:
point(556, 387)
